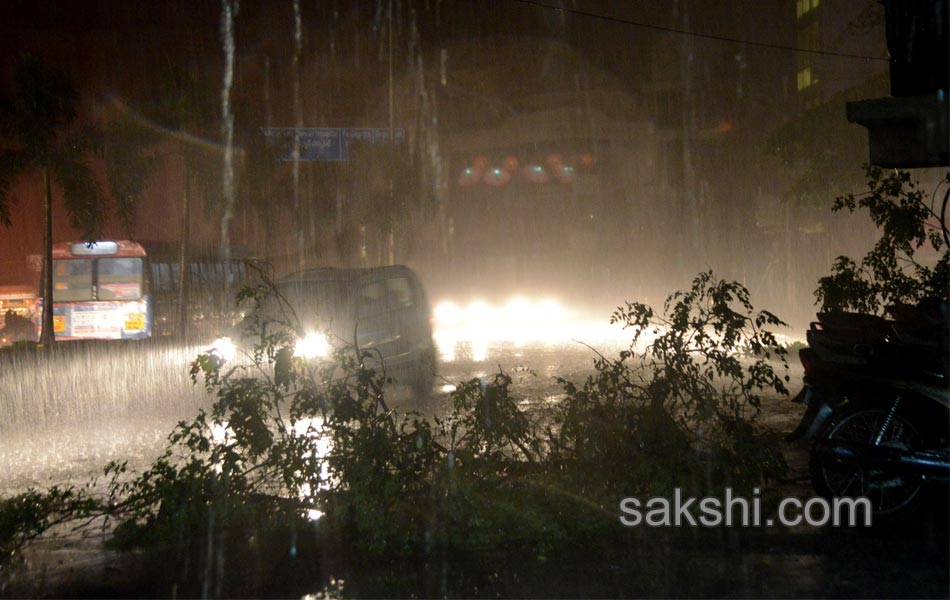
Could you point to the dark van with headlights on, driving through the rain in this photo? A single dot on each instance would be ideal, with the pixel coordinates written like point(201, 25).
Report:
point(384, 307)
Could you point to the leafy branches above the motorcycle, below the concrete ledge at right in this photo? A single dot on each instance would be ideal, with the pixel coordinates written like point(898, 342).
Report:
point(891, 272)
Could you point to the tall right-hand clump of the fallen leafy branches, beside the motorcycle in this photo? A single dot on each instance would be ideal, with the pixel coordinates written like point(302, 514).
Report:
point(681, 413)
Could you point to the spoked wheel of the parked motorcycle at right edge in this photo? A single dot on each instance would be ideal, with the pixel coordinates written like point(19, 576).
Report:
point(890, 492)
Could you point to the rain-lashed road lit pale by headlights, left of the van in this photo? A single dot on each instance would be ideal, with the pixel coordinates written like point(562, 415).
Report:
point(64, 418)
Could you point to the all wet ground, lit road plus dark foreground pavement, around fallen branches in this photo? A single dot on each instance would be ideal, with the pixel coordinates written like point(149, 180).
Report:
point(84, 416)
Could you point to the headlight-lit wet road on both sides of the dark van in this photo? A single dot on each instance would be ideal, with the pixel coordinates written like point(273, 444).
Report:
point(66, 417)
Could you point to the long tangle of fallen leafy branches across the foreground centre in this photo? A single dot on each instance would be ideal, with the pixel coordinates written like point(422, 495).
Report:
point(286, 437)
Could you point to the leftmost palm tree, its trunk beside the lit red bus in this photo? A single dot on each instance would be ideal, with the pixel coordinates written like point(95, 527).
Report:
point(36, 133)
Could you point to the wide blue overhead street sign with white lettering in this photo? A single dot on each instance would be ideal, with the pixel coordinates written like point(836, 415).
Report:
point(326, 144)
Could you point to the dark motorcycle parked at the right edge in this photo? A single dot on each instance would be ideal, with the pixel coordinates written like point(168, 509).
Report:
point(877, 400)
